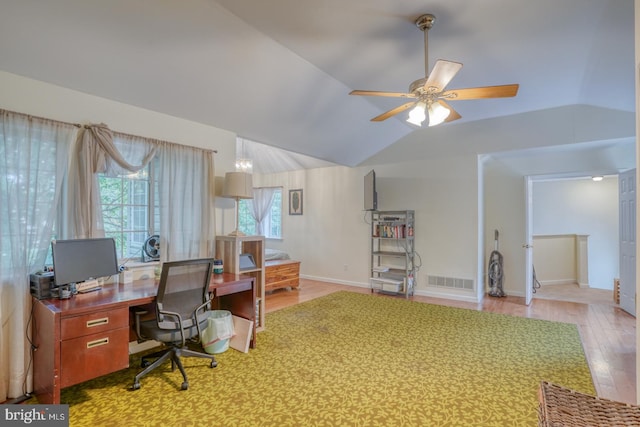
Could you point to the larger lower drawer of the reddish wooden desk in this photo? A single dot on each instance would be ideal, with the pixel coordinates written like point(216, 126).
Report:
point(91, 356)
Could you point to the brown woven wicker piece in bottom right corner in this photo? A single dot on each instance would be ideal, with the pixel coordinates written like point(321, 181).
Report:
point(560, 406)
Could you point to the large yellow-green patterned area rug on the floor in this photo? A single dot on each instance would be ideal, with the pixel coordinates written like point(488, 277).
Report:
point(351, 359)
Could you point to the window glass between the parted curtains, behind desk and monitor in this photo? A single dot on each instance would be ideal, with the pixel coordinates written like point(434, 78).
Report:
point(126, 212)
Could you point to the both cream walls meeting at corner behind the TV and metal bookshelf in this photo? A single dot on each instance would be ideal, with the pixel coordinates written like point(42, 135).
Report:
point(331, 238)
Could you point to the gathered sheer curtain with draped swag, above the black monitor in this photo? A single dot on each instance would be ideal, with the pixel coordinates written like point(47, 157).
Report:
point(98, 152)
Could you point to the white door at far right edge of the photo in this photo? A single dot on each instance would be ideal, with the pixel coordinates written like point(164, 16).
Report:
point(627, 226)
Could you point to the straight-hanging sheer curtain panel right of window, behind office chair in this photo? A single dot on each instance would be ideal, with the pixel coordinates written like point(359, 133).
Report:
point(186, 191)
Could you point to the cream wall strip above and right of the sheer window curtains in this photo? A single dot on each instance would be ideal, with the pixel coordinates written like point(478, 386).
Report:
point(42, 99)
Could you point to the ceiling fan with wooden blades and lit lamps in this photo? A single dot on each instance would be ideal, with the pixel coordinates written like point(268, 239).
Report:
point(429, 94)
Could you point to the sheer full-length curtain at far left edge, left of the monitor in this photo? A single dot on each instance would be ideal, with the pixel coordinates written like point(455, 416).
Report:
point(34, 155)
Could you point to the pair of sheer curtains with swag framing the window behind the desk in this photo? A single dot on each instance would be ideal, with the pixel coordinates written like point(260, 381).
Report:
point(184, 178)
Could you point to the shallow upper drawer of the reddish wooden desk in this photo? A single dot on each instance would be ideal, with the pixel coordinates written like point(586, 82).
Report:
point(93, 323)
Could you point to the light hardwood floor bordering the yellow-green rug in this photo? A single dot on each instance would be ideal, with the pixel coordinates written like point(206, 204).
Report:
point(607, 332)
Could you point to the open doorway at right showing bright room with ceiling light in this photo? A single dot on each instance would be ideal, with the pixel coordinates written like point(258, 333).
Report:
point(577, 206)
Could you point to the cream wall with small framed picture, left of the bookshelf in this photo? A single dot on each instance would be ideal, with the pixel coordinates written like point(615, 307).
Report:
point(330, 237)
